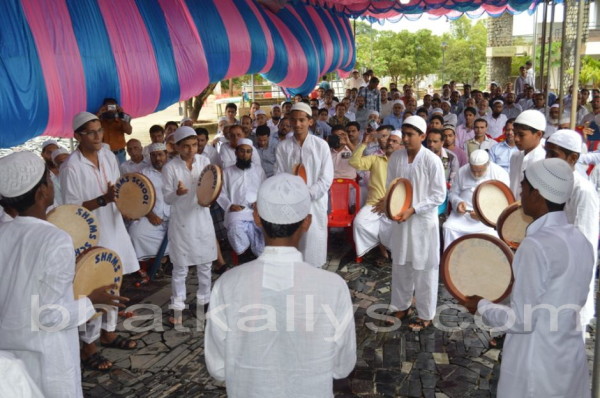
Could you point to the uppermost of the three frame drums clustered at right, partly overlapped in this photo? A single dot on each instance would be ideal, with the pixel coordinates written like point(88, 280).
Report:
point(489, 199)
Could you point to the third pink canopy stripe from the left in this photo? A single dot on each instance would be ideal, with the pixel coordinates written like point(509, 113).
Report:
point(190, 60)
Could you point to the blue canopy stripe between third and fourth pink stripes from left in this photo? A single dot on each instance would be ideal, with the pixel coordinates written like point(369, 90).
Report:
point(214, 37)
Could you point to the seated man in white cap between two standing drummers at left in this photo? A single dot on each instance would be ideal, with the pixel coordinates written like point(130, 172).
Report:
point(148, 232)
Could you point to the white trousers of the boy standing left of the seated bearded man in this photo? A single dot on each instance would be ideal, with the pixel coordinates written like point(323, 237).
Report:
point(178, 288)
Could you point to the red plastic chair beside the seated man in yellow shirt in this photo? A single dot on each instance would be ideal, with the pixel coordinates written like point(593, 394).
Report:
point(342, 213)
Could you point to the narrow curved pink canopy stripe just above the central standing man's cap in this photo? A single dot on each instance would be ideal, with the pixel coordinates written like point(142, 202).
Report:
point(297, 66)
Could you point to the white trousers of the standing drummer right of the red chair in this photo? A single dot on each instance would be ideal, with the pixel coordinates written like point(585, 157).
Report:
point(407, 281)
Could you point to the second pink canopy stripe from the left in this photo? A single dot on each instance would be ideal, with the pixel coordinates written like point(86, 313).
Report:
point(134, 56)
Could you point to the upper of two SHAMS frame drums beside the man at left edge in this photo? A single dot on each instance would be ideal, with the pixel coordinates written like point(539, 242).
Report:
point(80, 223)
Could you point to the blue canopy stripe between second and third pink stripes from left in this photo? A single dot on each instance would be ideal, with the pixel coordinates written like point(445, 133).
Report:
point(158, 31)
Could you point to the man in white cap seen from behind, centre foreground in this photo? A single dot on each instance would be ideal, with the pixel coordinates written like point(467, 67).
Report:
point(286, 359)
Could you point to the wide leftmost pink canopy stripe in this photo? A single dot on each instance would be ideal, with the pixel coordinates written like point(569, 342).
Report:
point(61, 62)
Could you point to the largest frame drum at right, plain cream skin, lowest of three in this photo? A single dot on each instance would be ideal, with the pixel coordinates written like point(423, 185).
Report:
point(478, 264)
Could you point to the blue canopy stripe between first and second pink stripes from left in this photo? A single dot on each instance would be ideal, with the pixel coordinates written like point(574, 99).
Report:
point(99, 67)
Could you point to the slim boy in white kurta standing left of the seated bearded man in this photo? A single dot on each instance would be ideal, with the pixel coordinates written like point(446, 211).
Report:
point(191, 233)
